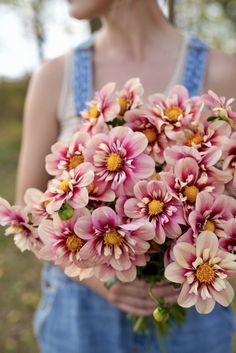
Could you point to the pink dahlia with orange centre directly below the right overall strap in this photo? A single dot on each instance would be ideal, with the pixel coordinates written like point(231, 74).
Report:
point(176, 110)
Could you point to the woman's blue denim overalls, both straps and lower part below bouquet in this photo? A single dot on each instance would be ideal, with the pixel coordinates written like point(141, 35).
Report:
point(73, 319)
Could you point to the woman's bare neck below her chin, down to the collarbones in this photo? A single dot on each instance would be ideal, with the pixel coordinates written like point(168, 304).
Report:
point(132, 27)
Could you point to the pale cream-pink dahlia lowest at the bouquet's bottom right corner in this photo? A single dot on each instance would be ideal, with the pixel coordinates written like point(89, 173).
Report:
point(203, 270)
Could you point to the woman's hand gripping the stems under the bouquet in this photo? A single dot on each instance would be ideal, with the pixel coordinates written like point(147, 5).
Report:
point(134, 298)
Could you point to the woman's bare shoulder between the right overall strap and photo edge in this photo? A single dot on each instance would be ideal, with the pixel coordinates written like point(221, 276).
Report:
point(221, 73)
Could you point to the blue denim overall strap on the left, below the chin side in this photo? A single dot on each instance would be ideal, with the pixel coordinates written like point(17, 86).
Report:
point(82, 75)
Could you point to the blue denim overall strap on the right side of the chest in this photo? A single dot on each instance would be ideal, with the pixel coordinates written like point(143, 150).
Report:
point(195, 66)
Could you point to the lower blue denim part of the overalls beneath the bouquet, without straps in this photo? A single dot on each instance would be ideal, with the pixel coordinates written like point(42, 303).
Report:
point(73, 319)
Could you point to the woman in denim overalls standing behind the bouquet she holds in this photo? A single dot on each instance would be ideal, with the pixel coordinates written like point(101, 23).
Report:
point(135, 41)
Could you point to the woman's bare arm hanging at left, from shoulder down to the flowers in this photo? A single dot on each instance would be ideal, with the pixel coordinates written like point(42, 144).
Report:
point(40, 127)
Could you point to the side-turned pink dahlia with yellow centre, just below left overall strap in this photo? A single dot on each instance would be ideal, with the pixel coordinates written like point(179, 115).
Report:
point(101, 110)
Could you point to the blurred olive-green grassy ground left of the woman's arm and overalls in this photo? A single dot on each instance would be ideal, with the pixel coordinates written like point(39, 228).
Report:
point(19, 273)
